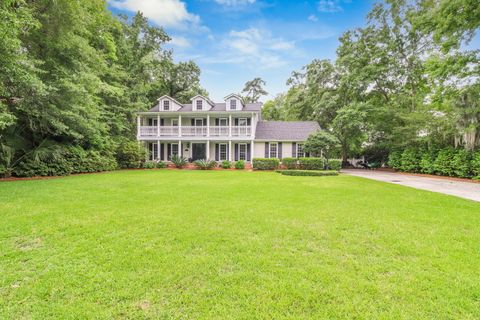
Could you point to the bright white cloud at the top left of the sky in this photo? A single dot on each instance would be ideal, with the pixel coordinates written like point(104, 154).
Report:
point(166, 13)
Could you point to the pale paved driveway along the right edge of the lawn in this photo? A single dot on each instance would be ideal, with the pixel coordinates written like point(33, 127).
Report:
point(460, 189)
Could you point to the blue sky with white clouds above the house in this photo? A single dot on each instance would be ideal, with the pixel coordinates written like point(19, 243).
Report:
point(234, 41)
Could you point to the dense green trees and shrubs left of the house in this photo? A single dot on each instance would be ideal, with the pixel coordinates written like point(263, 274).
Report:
point(72, 77)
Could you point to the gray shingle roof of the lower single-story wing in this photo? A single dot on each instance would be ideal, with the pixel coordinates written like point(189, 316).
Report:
point(285, 130)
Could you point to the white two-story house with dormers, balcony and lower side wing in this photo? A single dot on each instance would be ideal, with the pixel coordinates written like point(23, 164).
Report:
point(228, 130)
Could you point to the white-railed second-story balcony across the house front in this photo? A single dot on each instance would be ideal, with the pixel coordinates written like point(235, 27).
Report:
point(195, 131)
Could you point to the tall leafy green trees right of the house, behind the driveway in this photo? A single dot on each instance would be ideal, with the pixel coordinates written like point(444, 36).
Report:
point(405, 80)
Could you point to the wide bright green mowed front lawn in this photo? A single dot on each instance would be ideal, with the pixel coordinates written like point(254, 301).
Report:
point(235, 245)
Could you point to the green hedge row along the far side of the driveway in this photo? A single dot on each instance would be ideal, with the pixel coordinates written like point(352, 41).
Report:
point(445, 162)
